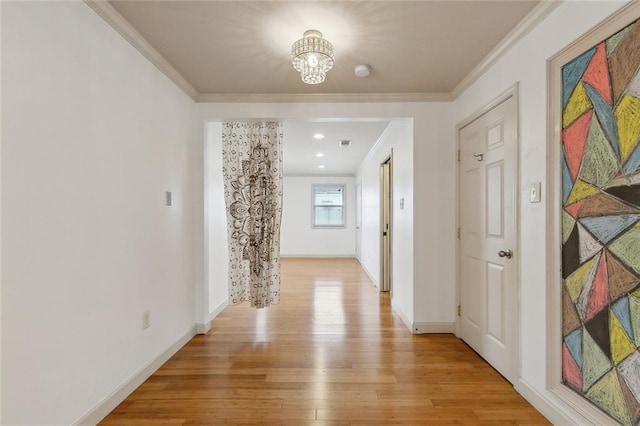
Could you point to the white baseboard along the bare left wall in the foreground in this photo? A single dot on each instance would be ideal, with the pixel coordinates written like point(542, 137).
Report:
point(111, 401)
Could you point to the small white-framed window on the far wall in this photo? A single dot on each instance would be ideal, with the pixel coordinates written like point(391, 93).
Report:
point(328, 206)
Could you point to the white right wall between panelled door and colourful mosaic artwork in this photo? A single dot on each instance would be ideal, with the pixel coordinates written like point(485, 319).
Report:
point(526, 64)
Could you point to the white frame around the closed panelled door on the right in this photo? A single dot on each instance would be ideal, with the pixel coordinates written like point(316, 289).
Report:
point(511, 92)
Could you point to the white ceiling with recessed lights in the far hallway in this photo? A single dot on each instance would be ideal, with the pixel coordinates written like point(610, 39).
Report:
point(300, 147)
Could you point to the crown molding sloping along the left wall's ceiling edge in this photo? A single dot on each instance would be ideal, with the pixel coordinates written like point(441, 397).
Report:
point(118, 23)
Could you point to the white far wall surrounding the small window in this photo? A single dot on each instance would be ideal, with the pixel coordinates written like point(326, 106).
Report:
point(297, 237)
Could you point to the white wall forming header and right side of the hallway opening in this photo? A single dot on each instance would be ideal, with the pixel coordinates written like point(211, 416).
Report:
point(424, 288)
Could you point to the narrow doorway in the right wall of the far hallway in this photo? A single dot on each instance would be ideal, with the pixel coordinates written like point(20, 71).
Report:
point(386, 254)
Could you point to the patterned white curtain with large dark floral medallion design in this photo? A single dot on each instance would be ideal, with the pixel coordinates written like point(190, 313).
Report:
point(252, 169)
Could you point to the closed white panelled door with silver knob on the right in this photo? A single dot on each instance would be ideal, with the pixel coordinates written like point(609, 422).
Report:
point(487, 259)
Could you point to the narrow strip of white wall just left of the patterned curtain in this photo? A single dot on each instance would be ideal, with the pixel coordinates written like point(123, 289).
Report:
point(216, 228)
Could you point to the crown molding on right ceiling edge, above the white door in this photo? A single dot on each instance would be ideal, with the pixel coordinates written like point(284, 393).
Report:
point(528, 24)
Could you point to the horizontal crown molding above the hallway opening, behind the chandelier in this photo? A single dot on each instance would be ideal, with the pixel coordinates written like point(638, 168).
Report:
point(323, 97)
